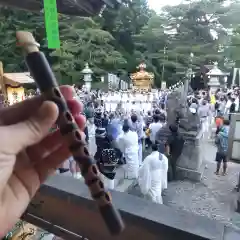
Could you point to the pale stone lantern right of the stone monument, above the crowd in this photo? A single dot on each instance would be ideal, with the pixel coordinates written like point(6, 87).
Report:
point(214, 74)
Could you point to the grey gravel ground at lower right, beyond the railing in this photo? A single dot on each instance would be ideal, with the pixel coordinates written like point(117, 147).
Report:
point(213, 197)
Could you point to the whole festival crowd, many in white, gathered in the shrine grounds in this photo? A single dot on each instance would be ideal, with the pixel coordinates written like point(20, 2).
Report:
point(120, 128)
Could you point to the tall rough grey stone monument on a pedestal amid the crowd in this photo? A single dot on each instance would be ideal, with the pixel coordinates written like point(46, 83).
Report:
point(189, 164)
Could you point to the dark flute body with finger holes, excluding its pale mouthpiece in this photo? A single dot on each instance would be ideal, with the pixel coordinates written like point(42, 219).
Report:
point(47, 83)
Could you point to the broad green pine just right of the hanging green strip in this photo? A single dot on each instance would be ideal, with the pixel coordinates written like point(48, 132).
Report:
point(82, 40)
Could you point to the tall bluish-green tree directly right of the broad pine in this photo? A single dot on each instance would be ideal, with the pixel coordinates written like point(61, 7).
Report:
point(124, 24)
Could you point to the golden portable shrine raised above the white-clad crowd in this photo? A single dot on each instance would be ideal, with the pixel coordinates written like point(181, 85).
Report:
point(142, 79)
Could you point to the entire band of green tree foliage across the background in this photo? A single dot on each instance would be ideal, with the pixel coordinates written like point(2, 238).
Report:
point(120, 39)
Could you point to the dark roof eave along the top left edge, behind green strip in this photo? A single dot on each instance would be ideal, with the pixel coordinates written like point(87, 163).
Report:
point(68, 7)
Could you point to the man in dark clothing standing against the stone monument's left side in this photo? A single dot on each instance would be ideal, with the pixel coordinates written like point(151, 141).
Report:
point(174, 147)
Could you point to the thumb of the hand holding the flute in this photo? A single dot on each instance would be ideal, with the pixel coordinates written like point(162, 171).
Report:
point(31, 131)
